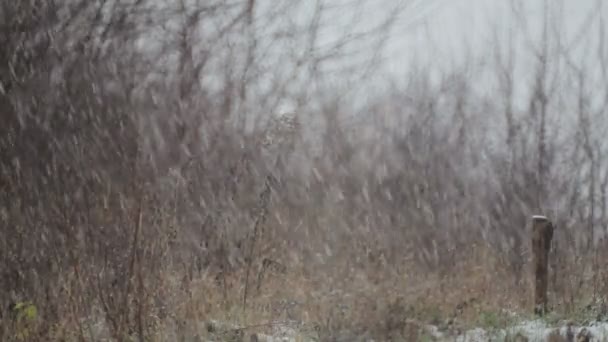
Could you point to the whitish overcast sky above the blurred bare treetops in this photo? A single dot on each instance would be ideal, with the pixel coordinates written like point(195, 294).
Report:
point(444, 33)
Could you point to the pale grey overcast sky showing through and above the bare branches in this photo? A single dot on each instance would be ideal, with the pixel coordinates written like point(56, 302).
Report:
point(444, 33)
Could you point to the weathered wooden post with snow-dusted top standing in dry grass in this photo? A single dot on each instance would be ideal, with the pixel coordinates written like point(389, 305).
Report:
point(542, 233)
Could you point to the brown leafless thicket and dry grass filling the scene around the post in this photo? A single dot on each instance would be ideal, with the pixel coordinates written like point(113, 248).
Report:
point(140, 198)
